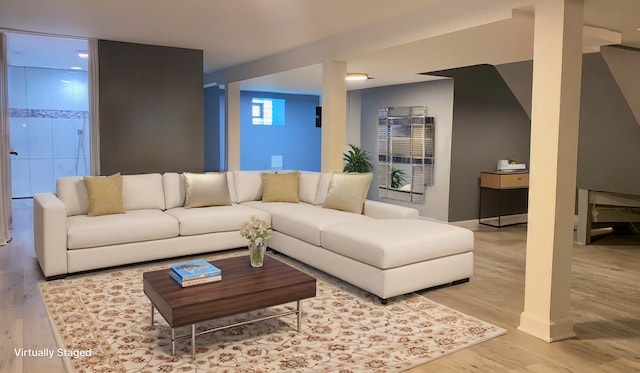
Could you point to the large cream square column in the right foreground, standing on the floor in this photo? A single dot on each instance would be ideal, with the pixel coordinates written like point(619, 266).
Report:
point(557, 69)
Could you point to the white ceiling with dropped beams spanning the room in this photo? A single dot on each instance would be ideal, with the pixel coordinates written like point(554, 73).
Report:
point(281, 44)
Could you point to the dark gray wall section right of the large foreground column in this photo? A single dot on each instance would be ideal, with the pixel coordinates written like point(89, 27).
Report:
point(609, 140)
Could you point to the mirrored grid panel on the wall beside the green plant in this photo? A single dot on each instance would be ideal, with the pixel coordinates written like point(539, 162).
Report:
point(405, 152)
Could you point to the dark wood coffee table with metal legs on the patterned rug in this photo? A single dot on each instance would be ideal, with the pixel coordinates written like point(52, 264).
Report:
point(241, 290)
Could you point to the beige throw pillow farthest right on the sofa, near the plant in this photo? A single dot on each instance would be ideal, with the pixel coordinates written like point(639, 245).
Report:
point(347, 192)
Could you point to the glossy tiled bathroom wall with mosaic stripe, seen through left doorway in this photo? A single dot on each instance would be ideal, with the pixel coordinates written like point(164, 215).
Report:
point(48, 111)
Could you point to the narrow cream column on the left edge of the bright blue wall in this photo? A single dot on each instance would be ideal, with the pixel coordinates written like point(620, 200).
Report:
point(232, 122)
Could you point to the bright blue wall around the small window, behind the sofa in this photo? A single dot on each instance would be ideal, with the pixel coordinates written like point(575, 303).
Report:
point(298, 141)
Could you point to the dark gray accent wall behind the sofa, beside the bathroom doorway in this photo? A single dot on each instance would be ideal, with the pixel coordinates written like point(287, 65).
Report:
point(151, 108)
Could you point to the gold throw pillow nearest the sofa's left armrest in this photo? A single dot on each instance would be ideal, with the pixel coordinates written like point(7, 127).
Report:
point(105, 194)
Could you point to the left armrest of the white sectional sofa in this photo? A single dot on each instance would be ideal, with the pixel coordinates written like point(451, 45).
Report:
point(50, 234)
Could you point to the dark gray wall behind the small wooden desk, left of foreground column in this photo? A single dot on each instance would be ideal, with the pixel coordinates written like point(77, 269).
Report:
point(488, 124)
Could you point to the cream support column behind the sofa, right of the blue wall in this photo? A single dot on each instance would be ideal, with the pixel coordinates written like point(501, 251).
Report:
point(334, 115)
